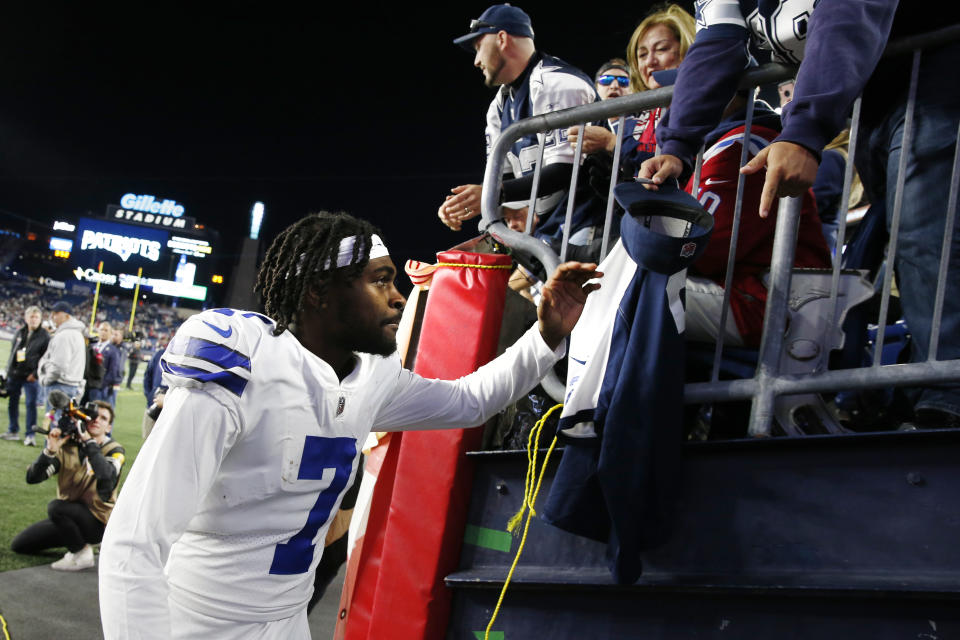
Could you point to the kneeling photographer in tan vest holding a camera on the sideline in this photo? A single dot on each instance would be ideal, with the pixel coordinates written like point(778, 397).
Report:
point(88, 463)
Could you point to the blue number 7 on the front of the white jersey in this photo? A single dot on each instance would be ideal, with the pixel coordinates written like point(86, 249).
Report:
point(319, 454)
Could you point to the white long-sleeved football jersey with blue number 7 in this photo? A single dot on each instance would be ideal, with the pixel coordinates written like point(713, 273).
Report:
point(232, 494)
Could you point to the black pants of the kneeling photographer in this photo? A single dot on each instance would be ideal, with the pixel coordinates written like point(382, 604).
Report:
point(71, 525)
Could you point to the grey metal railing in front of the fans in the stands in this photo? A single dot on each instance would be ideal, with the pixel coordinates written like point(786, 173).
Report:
point(769, 382)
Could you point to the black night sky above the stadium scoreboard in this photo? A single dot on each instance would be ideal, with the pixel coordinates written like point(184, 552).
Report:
point(374, 112)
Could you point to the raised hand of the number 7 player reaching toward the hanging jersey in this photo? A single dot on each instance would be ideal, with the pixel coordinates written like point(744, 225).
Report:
point(562, 300)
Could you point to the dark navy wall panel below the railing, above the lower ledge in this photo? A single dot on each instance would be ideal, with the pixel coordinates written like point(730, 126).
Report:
point(840, 511)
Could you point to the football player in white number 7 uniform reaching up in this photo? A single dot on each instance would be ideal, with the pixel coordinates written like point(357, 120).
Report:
point(215, 533)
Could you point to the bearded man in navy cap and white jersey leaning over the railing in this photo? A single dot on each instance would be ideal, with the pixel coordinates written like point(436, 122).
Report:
point(530, 83)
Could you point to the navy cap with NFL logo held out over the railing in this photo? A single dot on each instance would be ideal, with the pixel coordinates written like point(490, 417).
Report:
point(662, 247)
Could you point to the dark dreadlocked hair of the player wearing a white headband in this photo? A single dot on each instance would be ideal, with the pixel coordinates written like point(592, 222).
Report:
point(304, 256)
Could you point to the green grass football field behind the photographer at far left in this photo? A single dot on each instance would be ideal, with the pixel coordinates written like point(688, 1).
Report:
point(23, 504)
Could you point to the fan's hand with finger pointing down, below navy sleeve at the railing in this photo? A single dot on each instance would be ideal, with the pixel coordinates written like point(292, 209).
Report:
point(791, 170)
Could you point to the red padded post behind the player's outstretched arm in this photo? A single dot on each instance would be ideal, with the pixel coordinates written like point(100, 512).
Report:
point(431, 487)
